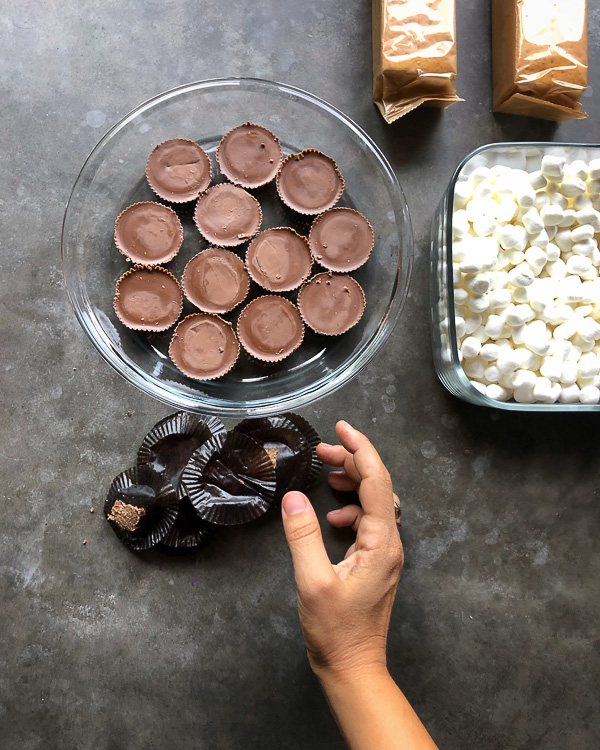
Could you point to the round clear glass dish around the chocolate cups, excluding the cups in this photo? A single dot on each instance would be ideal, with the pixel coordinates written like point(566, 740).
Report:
point(113, 177)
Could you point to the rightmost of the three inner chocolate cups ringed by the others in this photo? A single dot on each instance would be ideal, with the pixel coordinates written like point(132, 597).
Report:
point(279, 259)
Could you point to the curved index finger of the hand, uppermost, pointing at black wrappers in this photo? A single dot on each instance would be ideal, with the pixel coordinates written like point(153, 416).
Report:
point(375, 489)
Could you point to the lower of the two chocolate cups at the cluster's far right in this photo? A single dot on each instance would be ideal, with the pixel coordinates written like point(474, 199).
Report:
point(331, 304)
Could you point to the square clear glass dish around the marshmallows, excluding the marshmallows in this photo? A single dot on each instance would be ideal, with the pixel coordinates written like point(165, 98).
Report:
point(444, 340)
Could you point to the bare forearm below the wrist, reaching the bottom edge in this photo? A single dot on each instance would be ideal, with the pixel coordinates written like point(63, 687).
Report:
point(373, 713)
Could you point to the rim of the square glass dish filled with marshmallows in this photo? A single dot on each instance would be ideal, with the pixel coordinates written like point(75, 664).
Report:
point(471, 393)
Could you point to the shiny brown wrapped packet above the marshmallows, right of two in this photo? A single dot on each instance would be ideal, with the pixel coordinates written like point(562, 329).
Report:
point(540, 54)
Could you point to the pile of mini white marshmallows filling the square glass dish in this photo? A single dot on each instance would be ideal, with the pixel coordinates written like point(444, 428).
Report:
point(526, 270)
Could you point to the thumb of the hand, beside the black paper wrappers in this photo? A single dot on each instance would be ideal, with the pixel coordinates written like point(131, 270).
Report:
point(303, 534)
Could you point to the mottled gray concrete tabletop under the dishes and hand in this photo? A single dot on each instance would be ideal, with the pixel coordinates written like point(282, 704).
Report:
point(495, 632)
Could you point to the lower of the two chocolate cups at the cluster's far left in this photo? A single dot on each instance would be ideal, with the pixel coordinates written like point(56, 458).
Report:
point(148, 298)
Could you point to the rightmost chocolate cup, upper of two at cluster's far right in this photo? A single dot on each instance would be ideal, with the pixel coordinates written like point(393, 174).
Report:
point(341, 239)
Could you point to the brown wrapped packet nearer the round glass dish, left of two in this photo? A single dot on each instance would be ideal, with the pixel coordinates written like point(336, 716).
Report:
point(414, 55)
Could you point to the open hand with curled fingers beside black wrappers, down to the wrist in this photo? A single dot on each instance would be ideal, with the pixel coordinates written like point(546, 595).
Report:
point(345, 609)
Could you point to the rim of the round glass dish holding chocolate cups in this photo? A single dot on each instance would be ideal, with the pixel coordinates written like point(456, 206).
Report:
point(308, 394)
